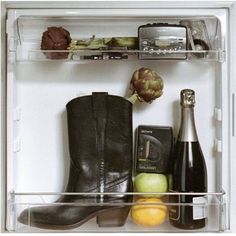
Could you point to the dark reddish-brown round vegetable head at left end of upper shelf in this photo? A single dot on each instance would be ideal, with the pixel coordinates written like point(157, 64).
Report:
point(55, 38)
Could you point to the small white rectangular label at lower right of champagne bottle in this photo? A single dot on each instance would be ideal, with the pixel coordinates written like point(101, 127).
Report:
point(199, 210)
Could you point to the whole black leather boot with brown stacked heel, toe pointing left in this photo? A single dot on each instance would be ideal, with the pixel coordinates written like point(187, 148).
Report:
point(100, 144)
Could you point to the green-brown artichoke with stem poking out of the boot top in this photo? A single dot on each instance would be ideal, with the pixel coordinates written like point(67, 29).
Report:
point(146, 85)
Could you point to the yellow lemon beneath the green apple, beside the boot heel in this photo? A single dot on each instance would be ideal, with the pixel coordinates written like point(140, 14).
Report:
point(149, 214)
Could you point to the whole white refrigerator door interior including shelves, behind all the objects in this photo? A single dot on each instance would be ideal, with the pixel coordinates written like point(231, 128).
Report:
point(38, 90)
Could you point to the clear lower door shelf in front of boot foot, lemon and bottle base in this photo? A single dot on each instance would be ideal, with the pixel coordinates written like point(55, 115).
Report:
point(214, 205)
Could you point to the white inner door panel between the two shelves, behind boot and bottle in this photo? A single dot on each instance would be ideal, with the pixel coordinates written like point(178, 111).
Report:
point(42, 130)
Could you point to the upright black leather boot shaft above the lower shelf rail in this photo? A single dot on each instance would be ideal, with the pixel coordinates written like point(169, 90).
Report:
point(100, 143)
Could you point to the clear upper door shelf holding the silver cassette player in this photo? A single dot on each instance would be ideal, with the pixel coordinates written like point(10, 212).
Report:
point(25, 45)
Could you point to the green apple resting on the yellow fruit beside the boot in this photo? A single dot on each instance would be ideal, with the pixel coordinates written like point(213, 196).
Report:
point(148, 182)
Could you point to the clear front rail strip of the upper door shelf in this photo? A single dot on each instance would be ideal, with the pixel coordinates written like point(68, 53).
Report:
point(83, 56)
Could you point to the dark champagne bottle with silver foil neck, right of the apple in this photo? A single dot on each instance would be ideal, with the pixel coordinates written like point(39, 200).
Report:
point(189, 172)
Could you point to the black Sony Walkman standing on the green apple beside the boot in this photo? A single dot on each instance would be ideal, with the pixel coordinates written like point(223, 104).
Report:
point(154, 149)
